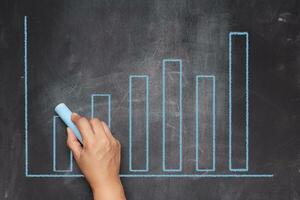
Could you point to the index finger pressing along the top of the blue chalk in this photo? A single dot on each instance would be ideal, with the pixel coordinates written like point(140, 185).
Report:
point(84, 127)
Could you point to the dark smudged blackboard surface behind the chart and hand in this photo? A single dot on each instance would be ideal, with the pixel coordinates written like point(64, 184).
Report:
point(76, 48)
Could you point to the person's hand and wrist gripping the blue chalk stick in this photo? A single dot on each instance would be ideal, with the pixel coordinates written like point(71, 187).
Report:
point(98, 157)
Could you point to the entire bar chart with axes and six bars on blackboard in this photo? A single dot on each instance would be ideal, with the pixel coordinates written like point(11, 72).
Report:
point(205, 165)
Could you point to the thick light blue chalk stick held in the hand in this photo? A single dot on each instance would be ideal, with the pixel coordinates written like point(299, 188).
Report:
point(65, 114)
